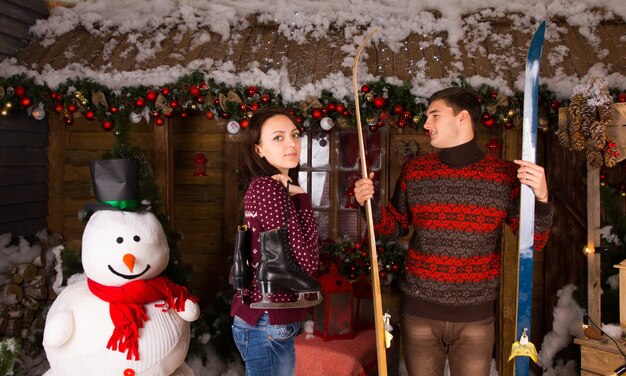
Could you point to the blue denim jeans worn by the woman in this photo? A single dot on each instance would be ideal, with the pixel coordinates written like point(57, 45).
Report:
point(267, 350)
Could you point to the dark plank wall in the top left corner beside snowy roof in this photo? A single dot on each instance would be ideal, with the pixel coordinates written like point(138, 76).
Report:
point(16, 17)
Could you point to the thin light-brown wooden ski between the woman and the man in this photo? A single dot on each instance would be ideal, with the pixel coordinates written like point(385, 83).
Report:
point(378, 309)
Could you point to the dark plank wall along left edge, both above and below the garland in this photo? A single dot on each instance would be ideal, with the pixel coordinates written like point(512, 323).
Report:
point(23, 171)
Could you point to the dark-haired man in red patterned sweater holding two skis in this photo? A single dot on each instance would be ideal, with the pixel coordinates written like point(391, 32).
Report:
point(456, 200)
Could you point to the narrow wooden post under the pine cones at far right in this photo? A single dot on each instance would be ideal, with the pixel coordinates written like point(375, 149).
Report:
point(593, 239)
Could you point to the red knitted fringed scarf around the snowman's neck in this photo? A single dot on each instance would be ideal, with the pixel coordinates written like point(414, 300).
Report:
point(126, 307)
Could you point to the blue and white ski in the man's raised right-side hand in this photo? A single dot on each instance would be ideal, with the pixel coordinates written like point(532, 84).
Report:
point(523, 349)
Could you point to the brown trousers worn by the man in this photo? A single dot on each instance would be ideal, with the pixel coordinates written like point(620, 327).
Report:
point(468, 346)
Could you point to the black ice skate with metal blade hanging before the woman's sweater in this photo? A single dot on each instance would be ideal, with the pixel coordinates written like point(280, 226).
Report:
point(278, 270)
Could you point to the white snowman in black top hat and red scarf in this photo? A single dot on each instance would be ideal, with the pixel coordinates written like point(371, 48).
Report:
point(125, 319)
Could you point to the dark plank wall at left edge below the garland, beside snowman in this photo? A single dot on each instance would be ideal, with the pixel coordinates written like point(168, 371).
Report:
point(23, 175)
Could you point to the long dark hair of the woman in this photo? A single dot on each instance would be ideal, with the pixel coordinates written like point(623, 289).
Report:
point(255, 165)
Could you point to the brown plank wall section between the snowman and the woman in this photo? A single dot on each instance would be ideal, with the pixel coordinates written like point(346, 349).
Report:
point(199, 202)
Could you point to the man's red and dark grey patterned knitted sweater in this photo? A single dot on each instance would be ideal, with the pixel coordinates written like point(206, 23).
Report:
point(456, 201)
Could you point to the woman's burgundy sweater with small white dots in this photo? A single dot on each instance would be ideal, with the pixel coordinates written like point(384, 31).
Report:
point(265, 209)
